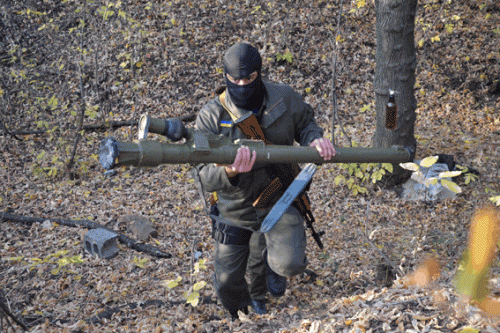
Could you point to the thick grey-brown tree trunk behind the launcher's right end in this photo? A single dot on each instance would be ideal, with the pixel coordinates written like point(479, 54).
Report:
point(396, 61)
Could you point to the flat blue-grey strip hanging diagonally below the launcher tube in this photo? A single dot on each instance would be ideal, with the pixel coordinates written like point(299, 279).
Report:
point(292, 192)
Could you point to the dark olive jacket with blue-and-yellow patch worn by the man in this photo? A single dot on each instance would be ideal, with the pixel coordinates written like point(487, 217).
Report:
point(284, 118)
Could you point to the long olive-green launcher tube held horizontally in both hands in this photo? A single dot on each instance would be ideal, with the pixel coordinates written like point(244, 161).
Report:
point(211, 148)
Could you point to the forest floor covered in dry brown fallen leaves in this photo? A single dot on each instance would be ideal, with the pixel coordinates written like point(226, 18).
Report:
point(116, 61)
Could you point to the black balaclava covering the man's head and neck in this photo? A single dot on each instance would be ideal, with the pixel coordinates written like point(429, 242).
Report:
point(240, 61)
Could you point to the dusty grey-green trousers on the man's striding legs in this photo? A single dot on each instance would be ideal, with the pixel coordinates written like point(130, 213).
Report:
point(285, 244)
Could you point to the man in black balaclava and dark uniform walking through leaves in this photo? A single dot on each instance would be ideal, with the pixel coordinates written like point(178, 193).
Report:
point(284, 118)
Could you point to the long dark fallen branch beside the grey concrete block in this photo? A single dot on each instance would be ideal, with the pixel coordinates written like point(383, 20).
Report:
point(148, 249)
